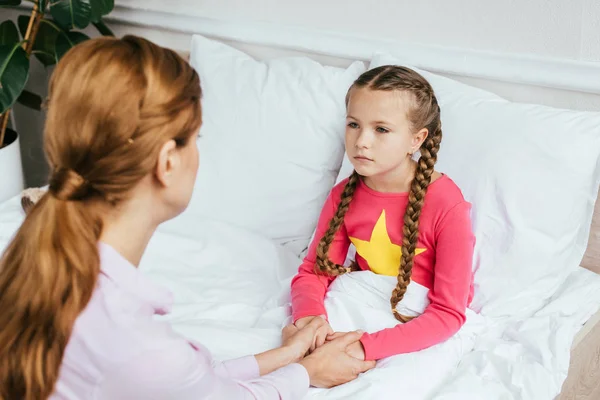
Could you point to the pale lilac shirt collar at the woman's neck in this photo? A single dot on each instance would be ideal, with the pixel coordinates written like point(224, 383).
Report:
point(128, 277)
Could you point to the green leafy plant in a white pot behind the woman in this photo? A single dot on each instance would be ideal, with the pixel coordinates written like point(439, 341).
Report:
point(47, 32)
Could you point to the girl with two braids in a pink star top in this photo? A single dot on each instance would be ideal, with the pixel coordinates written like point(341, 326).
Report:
point(404, 218)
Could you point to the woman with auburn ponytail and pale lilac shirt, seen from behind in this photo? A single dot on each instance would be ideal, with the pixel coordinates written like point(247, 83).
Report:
point(77, 315)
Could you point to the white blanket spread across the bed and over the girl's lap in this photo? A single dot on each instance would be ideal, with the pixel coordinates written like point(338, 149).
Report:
point(232, 294)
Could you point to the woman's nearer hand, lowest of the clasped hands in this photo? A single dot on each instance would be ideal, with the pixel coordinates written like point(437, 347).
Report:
point(331, 365)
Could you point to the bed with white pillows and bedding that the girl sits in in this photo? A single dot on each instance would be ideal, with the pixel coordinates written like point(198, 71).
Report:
point(540, 346)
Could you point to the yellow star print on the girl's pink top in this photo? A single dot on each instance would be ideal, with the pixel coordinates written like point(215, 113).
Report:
point(382, 255)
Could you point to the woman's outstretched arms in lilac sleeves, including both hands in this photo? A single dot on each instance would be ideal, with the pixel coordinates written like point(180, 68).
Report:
point(181, 371)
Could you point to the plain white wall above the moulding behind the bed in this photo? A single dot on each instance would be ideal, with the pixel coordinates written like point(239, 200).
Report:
point(567, 29)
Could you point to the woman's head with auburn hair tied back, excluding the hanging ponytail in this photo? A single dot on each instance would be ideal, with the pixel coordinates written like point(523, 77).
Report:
point(122, 111)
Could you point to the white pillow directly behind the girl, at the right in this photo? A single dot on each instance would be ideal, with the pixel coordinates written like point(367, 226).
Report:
point(532, 174)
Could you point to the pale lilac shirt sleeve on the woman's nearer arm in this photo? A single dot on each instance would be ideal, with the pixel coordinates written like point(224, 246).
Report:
point(183, 373)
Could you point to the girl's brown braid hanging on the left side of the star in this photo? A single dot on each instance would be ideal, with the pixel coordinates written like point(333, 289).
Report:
point(324, 264)
